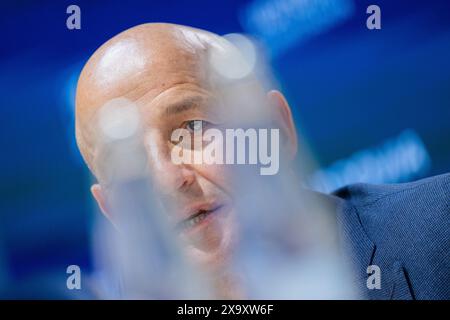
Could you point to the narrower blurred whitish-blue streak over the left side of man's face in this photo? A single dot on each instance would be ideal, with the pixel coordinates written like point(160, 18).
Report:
point(144, 246)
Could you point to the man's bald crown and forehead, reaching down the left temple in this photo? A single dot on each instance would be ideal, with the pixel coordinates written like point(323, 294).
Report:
point(139, 64)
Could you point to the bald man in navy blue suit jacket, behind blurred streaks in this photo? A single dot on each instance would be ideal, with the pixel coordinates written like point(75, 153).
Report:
point(165, 71)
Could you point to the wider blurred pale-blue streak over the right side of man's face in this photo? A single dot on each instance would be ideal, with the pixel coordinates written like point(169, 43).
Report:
point(288, 246)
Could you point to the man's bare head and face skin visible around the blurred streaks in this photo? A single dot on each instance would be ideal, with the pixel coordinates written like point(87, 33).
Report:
point(162, 69)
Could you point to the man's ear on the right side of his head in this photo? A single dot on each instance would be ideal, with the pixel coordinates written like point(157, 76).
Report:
point(283, 116)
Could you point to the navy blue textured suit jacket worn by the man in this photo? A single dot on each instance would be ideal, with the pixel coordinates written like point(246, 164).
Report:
point(405, 230)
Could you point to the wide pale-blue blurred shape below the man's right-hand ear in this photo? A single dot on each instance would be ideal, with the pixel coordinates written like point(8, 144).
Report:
point(288, 247)
